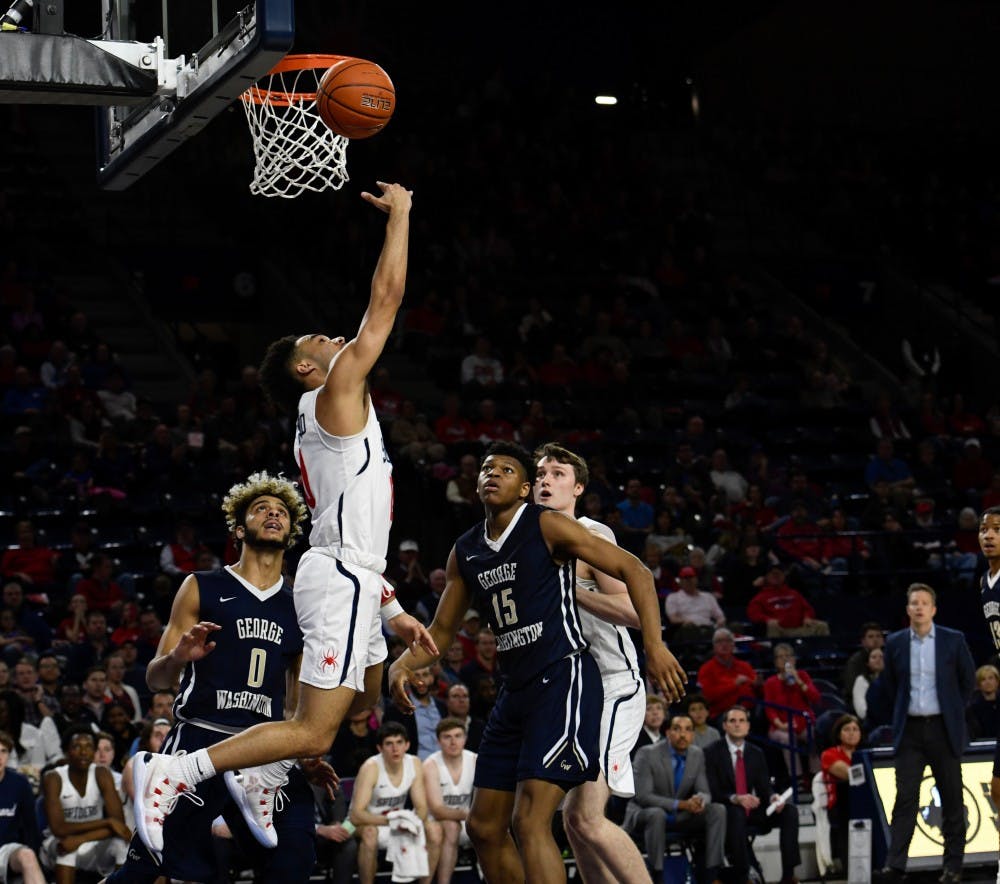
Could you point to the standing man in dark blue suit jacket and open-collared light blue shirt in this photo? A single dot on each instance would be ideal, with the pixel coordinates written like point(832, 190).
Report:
point(927, 682)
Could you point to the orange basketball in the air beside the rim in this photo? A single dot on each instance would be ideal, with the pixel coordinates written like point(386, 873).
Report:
point(355, 98)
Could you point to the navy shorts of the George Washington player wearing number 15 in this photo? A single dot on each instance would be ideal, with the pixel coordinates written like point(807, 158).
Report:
point(547, 729)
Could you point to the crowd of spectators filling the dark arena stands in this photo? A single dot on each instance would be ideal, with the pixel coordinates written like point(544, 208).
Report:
point(732, 449)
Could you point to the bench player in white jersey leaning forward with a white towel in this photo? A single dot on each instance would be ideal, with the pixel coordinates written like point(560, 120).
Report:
point(401, 778)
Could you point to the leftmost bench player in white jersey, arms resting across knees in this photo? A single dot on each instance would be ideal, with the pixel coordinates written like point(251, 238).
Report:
point(85, 819)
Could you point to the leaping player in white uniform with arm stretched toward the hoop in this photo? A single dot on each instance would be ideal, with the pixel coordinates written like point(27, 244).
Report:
point(347, 480)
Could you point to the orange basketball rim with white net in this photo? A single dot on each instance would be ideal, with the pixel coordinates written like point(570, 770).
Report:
point(294, 150)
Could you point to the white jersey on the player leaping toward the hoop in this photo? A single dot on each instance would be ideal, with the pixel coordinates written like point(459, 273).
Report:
point(347, 484)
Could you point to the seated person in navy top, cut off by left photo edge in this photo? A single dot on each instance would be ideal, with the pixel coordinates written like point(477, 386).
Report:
point(19, 836)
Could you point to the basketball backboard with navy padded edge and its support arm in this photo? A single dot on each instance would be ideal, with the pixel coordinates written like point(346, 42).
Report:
point(157, 74)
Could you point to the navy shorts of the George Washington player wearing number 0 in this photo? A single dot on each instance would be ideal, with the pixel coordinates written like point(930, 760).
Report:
point(188, 850)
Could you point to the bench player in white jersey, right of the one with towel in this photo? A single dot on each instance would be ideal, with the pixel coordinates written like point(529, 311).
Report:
point(448, 776)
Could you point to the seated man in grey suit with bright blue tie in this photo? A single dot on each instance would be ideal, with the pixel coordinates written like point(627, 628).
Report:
point(671, 792)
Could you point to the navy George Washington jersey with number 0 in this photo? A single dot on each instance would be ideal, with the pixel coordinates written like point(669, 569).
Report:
point(242, 682)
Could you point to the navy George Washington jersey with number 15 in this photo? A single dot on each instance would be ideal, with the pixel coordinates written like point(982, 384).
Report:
point(527, 598)
